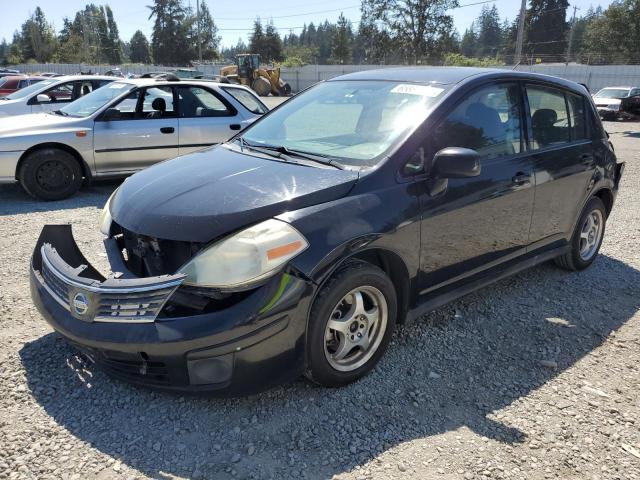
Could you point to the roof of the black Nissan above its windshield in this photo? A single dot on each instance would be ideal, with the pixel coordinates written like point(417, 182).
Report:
point(441, 75)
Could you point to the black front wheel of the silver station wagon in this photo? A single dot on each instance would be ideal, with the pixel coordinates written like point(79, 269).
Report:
point(50, 174)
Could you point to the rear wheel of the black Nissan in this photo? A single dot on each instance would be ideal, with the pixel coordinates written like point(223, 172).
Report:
point(586, 239)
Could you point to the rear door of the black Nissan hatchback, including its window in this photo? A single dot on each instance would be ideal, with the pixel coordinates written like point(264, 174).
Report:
point(564, 162)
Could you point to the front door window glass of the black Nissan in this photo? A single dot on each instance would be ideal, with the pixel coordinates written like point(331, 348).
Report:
point(487, 121)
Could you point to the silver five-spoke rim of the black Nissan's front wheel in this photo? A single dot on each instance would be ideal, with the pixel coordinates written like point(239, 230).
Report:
point(356, 328)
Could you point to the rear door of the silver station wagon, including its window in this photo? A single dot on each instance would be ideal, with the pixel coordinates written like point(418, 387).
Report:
point(205, 118)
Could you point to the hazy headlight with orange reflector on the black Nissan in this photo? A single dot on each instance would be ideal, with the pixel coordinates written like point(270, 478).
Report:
point(245, 258)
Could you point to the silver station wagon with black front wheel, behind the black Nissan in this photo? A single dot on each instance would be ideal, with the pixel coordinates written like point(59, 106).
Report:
point(119, 129)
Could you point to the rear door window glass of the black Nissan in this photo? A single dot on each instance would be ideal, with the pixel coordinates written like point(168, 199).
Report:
point(549, 117)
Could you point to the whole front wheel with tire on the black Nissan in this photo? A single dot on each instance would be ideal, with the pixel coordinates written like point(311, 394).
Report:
point(333, 360)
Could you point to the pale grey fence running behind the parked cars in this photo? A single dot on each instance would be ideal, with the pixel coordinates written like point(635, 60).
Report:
point(595, 76)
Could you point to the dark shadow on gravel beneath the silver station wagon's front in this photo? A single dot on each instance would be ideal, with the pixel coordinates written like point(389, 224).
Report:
point(14, 200)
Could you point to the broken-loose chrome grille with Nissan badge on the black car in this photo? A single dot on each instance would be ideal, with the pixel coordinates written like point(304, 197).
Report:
point(77, 286)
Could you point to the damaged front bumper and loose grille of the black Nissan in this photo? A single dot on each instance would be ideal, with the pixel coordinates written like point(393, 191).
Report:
point(143, 324)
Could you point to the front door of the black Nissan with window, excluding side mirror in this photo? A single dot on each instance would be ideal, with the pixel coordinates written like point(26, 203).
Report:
point(481, 221)
